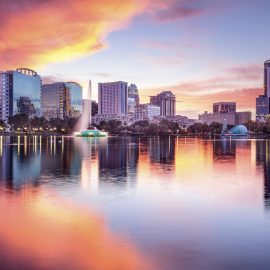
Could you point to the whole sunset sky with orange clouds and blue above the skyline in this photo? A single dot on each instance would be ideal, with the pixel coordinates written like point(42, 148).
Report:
point(202, 50)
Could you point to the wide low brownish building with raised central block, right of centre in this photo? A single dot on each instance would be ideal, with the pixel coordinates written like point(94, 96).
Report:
point(225, 111)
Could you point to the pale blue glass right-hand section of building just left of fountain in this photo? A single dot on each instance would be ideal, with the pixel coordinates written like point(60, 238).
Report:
point(75, 91)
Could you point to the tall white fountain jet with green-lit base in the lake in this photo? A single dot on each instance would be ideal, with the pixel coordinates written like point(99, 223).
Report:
point(85, 124)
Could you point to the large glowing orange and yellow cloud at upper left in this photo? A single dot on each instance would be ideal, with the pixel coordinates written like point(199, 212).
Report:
point(34, 33)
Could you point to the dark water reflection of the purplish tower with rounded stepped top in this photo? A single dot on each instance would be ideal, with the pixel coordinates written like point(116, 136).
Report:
point(162, 150)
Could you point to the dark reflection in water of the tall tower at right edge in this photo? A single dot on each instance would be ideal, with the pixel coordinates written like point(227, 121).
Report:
point(262, 157)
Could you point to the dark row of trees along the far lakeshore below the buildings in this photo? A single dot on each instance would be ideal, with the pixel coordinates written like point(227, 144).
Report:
point(22, 123)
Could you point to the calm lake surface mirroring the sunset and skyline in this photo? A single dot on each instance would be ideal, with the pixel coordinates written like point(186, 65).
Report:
point(134, 203)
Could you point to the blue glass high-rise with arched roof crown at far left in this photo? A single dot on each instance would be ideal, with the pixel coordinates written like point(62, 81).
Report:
point(22, 82)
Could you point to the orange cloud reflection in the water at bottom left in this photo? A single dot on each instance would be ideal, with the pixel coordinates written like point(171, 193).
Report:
point(54, 234)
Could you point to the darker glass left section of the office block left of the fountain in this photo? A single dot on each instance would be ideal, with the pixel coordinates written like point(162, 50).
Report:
point(55, 100)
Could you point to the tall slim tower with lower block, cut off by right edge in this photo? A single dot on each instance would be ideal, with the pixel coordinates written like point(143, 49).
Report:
point(263, 101)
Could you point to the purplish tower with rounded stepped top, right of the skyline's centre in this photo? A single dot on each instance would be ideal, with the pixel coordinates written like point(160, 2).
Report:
point(166, 101)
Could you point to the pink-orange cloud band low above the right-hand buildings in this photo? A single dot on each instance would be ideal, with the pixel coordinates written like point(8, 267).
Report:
point(241, 84)
